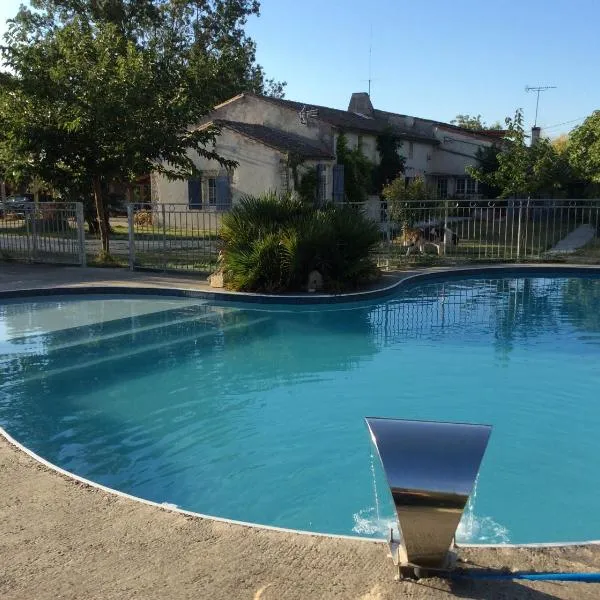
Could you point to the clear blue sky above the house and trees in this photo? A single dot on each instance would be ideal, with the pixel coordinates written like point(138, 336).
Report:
point(436, 58)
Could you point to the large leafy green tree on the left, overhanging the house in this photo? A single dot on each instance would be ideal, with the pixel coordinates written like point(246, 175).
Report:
point(101, 92)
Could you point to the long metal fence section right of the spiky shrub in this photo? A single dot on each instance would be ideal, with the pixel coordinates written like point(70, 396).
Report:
point(454, 231)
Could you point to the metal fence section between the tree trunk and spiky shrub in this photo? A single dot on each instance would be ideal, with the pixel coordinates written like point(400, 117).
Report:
point(172, 237)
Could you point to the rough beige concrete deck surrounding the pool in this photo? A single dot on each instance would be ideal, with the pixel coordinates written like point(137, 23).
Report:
point(60, 538)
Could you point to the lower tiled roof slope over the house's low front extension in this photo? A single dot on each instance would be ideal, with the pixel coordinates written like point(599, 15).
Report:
point(278, 139)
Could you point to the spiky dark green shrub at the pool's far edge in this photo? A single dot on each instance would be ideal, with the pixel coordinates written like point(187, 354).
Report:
point(272, 243)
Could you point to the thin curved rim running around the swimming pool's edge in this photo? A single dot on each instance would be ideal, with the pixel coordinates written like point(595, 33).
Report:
point(427, 275)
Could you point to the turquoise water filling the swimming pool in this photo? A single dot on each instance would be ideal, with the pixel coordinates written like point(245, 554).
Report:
point(256, 412)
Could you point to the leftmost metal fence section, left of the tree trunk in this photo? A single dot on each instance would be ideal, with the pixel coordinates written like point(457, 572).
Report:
point(49, 232)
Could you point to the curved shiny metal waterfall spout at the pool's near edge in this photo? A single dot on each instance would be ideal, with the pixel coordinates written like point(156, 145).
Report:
point(431, 468)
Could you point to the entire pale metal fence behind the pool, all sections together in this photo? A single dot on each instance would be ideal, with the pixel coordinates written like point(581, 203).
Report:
point(173, 237)
